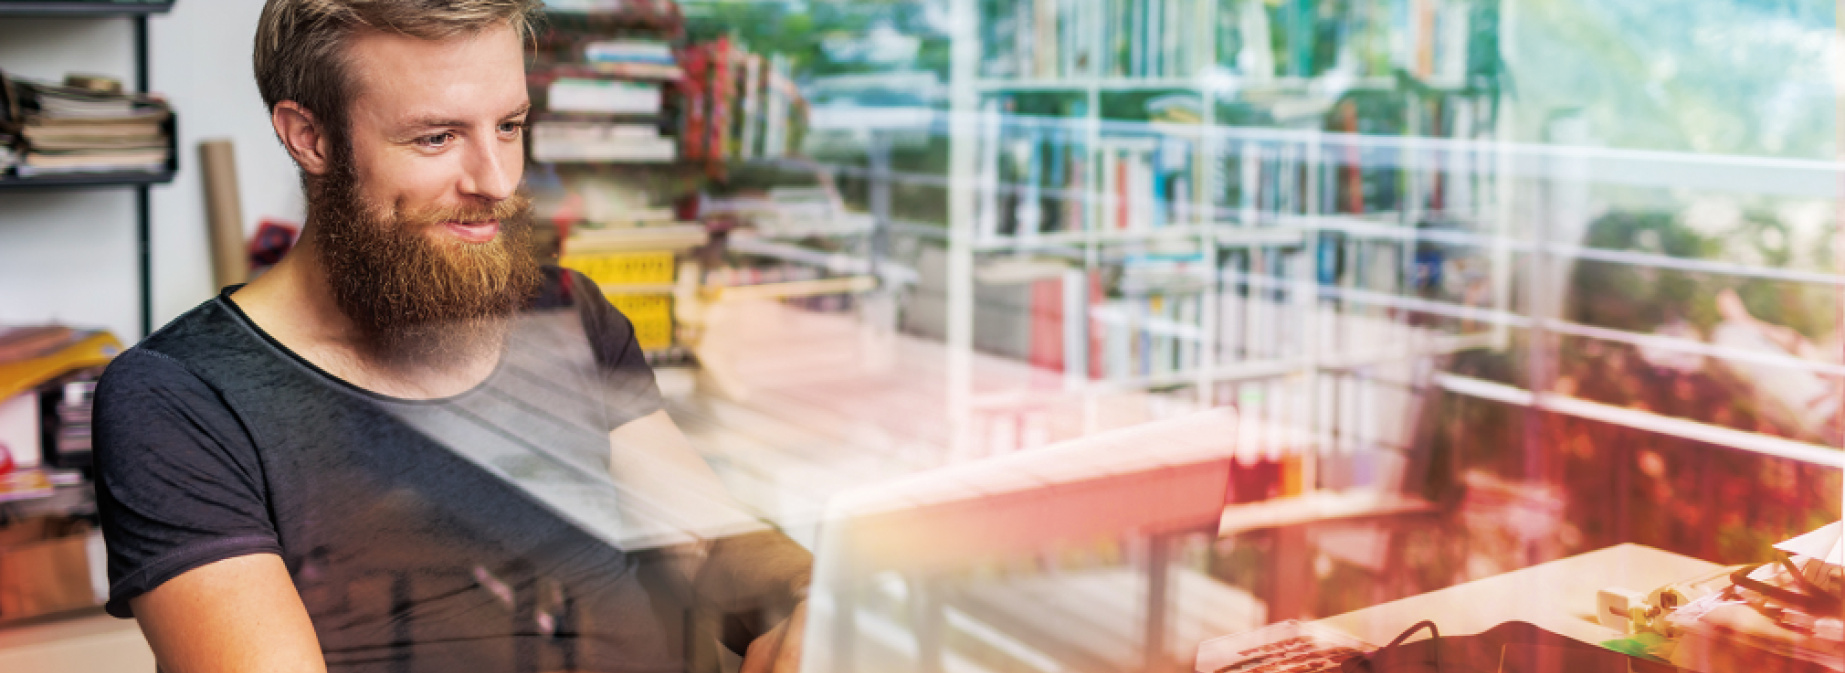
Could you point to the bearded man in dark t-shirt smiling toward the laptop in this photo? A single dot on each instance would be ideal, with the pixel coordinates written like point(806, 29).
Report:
point(411, 447)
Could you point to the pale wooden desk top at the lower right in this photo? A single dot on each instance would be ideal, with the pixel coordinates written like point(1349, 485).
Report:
point(1558, 596)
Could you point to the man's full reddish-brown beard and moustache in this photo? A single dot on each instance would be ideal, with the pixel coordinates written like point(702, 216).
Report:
point(416, 296)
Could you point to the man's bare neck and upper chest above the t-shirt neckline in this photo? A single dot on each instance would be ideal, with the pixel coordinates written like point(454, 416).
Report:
point(294, 303)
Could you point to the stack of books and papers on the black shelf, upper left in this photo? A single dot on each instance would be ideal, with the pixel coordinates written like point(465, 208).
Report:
point(86, 126)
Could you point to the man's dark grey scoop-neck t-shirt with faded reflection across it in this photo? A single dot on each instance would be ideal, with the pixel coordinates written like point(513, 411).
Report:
point(412, 528)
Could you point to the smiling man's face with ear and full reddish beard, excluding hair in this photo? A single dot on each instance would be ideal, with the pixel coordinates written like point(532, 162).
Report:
point(418, 222)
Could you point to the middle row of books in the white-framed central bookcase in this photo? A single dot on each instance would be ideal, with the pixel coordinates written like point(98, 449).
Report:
point(1040, 176)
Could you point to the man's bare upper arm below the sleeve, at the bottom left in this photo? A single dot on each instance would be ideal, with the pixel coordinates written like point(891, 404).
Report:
point(232, 617)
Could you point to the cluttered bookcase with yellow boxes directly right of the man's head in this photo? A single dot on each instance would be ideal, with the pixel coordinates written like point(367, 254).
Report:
point(641, 132)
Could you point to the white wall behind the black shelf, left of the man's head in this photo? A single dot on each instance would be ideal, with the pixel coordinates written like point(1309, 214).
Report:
point(69, 255)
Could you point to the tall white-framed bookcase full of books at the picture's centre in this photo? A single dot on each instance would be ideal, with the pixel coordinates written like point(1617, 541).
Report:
point(1193, 191)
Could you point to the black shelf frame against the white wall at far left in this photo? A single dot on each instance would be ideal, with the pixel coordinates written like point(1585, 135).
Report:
point(137, 14)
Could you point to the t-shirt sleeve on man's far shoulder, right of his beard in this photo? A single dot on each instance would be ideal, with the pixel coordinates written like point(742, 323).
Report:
point(628, 381)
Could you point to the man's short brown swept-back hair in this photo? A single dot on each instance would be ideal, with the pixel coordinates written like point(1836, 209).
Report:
point(302, 43)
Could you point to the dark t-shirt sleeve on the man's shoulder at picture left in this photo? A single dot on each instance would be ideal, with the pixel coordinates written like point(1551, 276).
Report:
point(178, 478)
